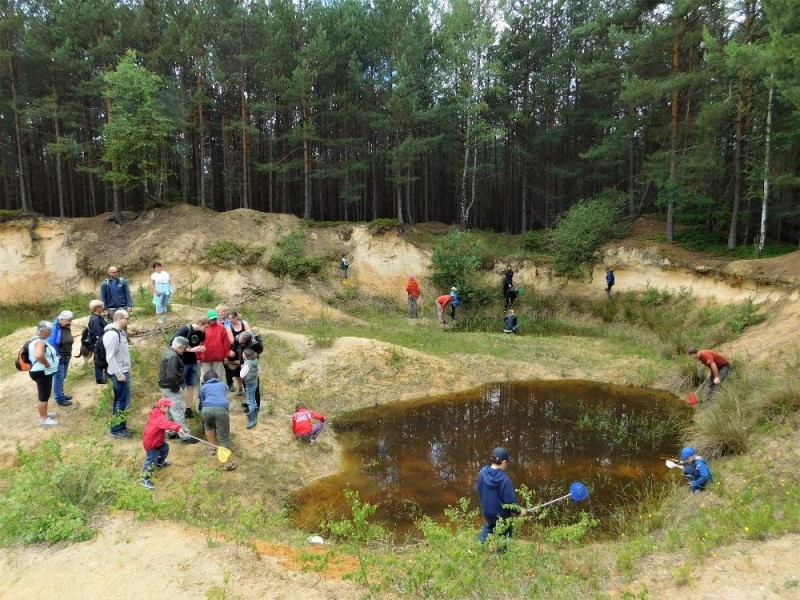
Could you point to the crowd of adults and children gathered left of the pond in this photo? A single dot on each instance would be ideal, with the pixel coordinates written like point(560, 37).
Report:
point(219, 344)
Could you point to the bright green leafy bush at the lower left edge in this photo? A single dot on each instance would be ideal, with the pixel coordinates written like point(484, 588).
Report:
point(55, 494)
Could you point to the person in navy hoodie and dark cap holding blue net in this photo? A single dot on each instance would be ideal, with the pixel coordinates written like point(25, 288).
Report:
point(496, 490)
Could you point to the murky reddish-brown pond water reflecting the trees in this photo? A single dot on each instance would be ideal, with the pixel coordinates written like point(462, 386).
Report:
point(419, 457)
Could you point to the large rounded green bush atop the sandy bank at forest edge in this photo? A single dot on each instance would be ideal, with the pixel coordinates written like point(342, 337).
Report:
point(586, 226)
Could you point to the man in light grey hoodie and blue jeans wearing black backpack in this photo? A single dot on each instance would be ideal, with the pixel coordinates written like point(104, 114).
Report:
point(118, 355)
